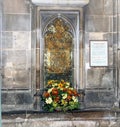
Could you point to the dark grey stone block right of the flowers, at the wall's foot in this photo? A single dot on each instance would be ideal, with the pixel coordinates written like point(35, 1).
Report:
point(99, 99)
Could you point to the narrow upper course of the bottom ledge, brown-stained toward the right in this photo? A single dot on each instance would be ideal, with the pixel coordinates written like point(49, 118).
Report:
point(58, 116)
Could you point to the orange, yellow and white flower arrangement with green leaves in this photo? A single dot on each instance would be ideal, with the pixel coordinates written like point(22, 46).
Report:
point(59, 96)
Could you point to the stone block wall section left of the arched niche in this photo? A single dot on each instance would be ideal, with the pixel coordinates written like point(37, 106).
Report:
point(16, 55)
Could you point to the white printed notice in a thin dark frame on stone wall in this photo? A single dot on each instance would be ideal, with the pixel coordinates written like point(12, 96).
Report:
point(98, 53)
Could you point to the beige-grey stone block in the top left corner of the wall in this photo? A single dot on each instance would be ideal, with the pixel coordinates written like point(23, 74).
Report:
point(19, 6)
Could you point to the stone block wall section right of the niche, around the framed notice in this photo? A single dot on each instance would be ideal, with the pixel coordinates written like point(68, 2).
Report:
point(100, 83)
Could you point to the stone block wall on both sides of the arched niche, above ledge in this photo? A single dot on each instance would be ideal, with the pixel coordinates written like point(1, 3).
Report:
point(18, 54)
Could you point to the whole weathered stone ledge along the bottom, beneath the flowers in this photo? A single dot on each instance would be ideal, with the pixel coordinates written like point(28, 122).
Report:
point(83, 119)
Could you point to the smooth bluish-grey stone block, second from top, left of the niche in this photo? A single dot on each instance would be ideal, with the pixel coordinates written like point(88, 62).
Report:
point(15, 22)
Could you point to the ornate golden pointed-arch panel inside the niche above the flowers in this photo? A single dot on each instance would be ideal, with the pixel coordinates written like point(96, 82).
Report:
point(58, 55)
